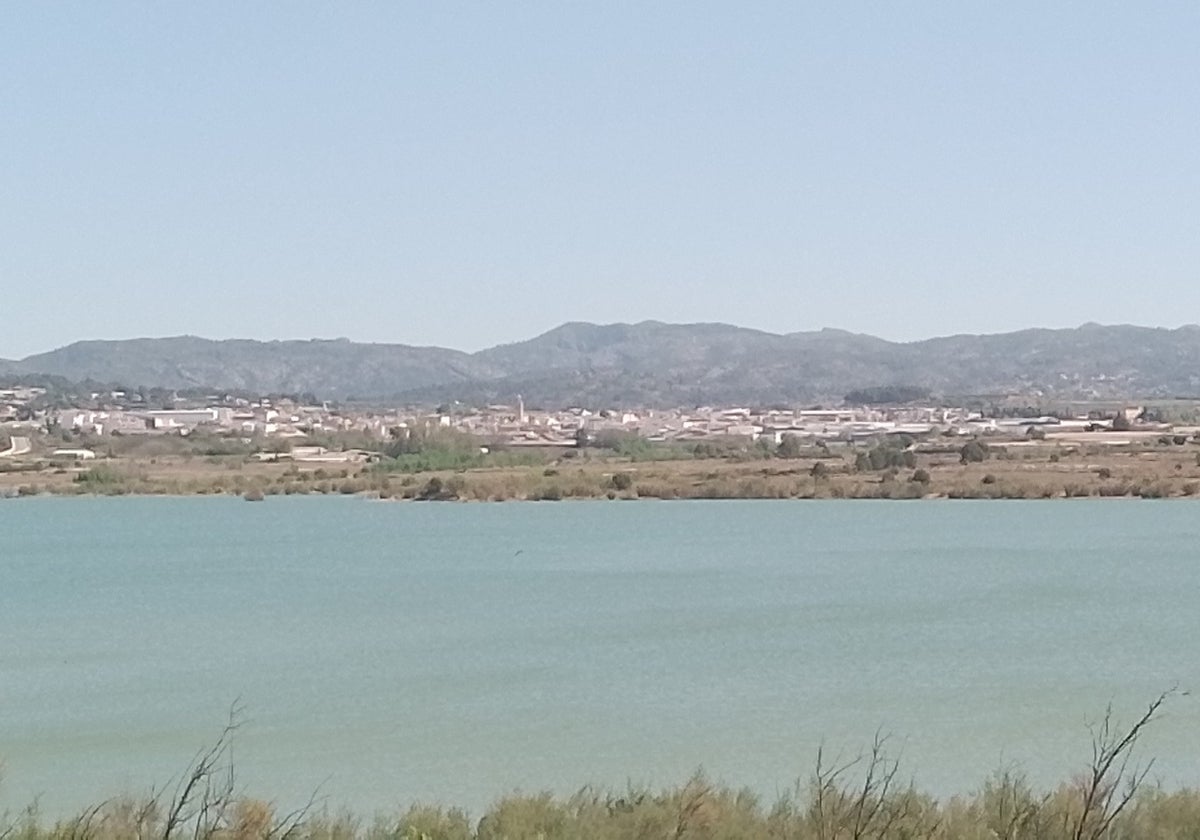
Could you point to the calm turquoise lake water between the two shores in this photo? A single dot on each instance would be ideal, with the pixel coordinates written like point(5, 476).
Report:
point(388, 653)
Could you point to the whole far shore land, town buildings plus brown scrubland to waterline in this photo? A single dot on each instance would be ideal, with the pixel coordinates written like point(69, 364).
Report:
point(119, 442)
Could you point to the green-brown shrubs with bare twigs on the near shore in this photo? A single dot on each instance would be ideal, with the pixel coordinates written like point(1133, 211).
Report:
point(861, 799)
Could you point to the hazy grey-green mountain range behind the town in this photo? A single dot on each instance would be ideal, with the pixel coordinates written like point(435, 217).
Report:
point(656, 364)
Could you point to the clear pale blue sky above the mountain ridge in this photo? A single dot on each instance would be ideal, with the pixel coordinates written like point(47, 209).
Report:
point(472, 175)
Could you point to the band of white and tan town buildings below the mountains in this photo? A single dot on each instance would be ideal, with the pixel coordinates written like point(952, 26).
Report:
point(33, 429)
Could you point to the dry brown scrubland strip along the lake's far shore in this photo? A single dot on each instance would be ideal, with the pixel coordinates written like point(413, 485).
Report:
point(1155, 467)
